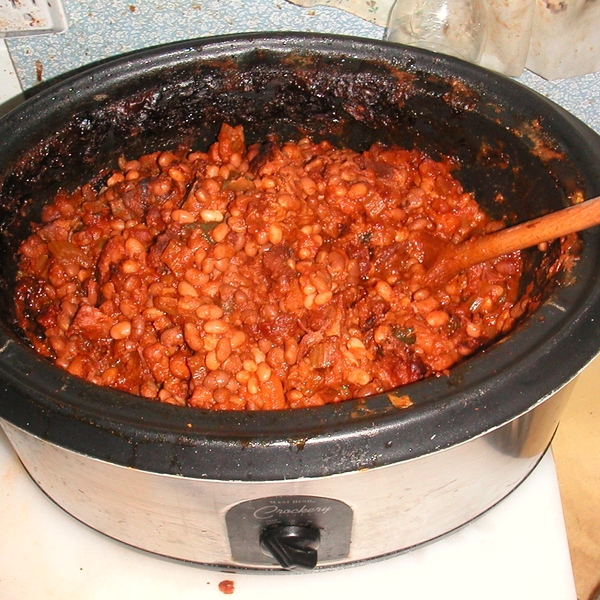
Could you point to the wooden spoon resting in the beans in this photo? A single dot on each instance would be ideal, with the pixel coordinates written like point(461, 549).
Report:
point(454, 259)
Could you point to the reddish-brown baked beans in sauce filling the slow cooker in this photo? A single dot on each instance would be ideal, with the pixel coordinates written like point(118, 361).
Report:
point(281, 275)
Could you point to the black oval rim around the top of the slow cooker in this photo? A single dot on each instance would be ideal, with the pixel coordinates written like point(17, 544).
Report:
point(130, 431)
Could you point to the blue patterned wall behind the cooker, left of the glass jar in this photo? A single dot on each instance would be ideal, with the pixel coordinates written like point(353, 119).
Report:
point(104, 28)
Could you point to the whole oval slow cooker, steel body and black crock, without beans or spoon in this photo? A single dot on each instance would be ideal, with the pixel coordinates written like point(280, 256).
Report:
point(317, 487)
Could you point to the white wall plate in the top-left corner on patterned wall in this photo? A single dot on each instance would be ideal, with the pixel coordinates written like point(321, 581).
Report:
point(31, 17)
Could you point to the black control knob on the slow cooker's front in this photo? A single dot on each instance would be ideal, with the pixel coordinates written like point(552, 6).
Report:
point(292, 546)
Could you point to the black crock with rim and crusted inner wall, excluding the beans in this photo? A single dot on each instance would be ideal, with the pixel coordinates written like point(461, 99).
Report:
point(276, 83)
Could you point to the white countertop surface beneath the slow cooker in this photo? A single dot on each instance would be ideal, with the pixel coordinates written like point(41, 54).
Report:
point(517, 551)
